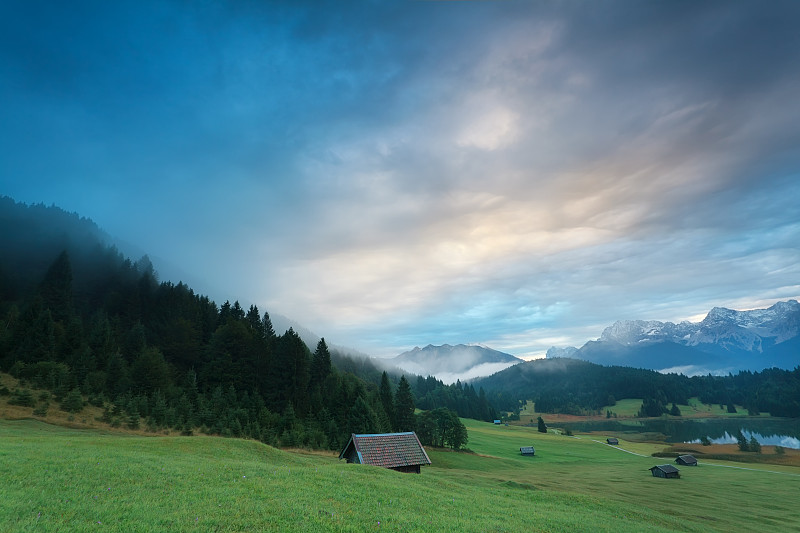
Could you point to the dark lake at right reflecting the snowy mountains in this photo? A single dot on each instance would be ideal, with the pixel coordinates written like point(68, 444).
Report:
point(767, 431)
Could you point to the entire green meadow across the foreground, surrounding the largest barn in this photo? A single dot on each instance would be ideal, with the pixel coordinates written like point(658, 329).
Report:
point(57, 479)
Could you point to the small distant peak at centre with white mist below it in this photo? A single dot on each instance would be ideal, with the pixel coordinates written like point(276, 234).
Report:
point(450, 363)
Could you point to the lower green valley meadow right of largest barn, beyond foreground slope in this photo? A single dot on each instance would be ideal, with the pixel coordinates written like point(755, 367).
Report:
point(706, 497)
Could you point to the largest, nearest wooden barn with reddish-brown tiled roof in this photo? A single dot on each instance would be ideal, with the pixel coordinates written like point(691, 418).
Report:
point(398, 451)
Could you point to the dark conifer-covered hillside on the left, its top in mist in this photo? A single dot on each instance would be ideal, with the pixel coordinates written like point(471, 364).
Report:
point(82, 321)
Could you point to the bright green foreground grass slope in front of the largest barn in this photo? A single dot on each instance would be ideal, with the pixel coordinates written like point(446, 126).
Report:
point(57, 479)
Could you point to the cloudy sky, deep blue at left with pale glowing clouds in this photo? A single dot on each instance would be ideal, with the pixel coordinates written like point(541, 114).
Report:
point(401, 173)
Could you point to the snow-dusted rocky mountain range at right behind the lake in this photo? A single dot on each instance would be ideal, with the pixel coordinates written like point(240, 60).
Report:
point(724, 341)
